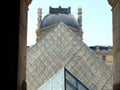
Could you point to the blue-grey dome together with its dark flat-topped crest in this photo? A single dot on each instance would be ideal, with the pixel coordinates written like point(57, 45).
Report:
point(57, 15)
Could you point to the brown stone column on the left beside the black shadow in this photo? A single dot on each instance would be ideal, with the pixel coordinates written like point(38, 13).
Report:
point(21, 76)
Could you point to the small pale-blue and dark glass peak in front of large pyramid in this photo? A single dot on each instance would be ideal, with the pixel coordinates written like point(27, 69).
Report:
point(63, 80)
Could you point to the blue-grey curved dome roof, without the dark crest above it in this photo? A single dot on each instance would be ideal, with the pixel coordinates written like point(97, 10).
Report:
point(67, 19)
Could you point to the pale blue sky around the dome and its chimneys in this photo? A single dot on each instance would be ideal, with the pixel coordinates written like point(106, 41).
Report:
point(96, 19)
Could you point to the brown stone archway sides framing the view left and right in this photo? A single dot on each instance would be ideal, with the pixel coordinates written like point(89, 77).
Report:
point(21, 85)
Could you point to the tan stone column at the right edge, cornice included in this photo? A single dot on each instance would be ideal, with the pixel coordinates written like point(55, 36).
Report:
point(116, 41)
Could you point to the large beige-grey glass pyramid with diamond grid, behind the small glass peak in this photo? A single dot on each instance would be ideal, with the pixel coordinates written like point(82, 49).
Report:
point(60, 47)
